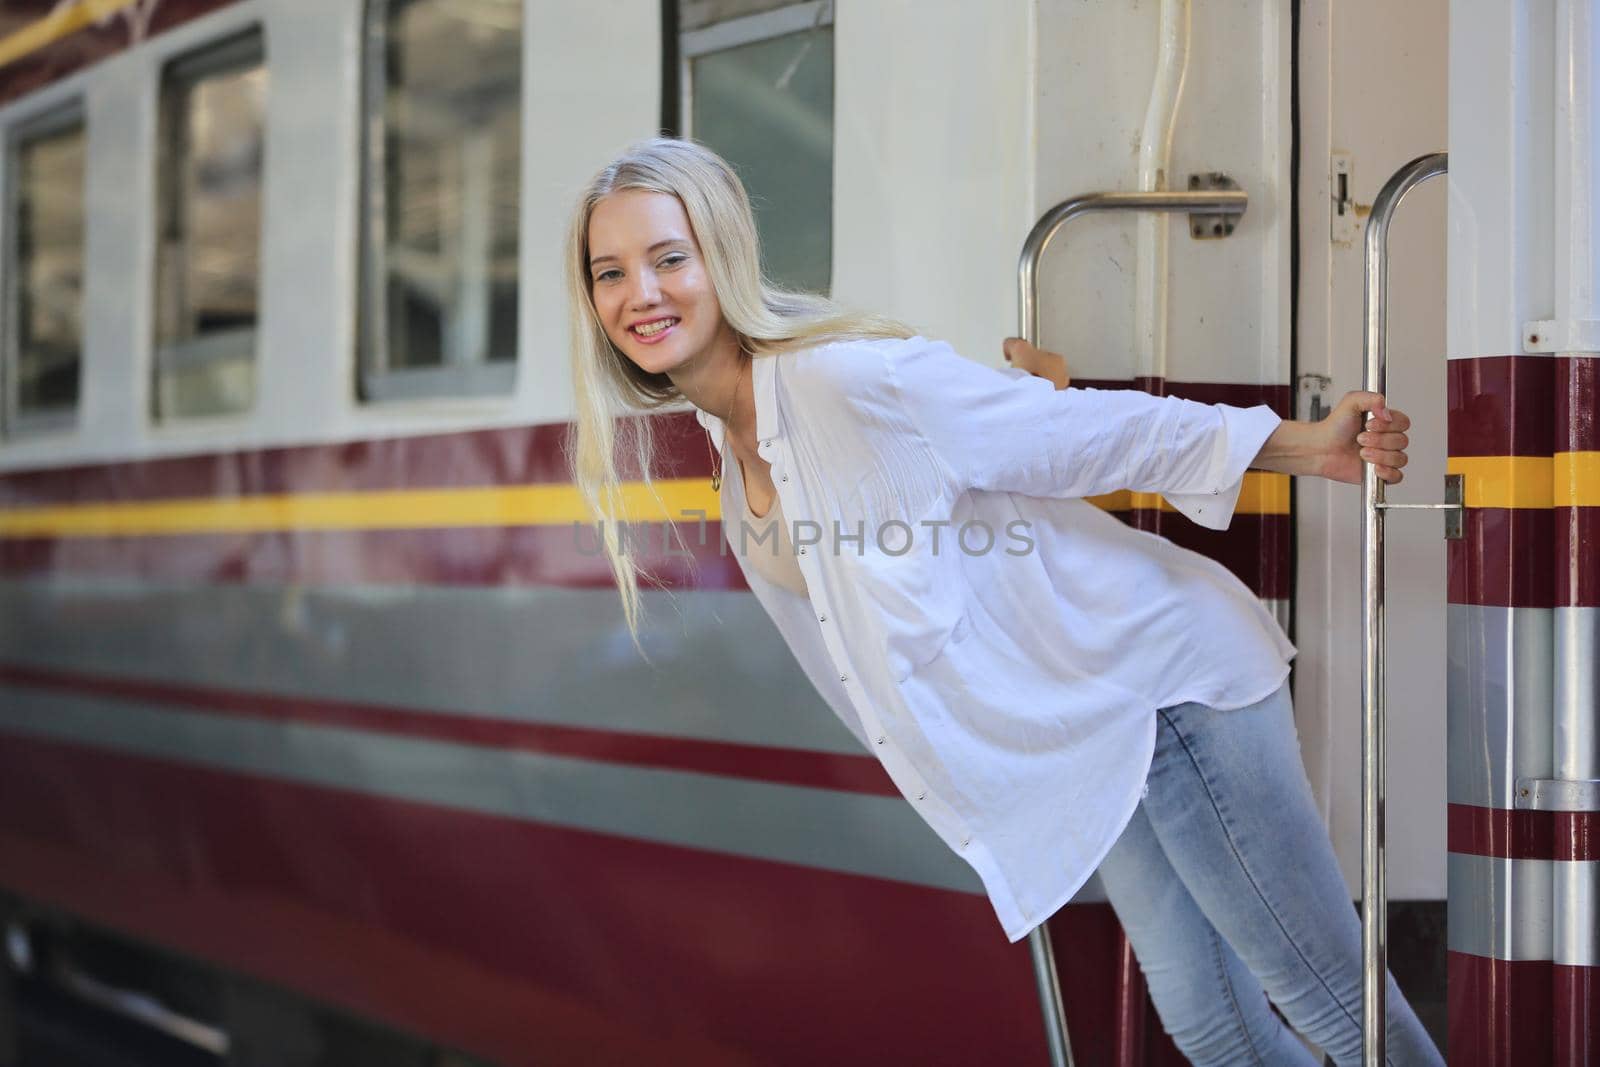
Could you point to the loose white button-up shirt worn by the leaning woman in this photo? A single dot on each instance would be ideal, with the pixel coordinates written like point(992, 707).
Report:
point(1010, 693)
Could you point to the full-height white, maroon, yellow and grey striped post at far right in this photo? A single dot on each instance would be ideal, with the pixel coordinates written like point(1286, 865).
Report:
point(1526, 583)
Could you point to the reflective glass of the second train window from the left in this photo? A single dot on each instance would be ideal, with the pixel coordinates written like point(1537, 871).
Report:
point(209, 254)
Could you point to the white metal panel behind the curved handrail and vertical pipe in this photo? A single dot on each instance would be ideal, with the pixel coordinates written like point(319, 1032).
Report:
point(1228, 306)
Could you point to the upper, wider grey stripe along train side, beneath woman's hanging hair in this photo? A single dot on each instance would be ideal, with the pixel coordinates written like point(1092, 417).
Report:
point(522, 653)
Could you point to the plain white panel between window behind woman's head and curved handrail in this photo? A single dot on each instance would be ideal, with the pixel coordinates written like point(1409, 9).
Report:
point(934, 161)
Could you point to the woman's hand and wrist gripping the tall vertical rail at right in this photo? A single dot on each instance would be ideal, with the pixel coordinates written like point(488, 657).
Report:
point(1337, 447)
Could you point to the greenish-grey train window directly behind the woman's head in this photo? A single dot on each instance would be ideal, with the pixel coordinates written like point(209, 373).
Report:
point(759, 89)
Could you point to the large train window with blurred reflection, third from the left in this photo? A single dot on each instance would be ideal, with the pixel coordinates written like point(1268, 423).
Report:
point(439, 246)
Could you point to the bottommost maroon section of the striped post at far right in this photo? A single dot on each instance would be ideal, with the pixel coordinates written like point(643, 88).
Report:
point(1500, 1012)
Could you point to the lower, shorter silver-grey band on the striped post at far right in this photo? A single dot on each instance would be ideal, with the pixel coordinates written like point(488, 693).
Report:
point(1500, 908)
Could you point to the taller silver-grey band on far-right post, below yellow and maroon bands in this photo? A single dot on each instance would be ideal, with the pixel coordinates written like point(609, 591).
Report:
point(1498, 701)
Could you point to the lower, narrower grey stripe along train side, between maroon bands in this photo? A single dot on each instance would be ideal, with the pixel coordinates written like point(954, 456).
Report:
point(847, 833)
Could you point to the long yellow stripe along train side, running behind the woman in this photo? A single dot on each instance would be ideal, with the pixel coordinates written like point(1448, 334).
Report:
point(438, 510)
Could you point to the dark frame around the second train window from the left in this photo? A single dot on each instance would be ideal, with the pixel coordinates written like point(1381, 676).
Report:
point(239, 50)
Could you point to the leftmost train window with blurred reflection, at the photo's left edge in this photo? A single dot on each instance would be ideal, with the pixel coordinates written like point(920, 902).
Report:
point(44, 300)
